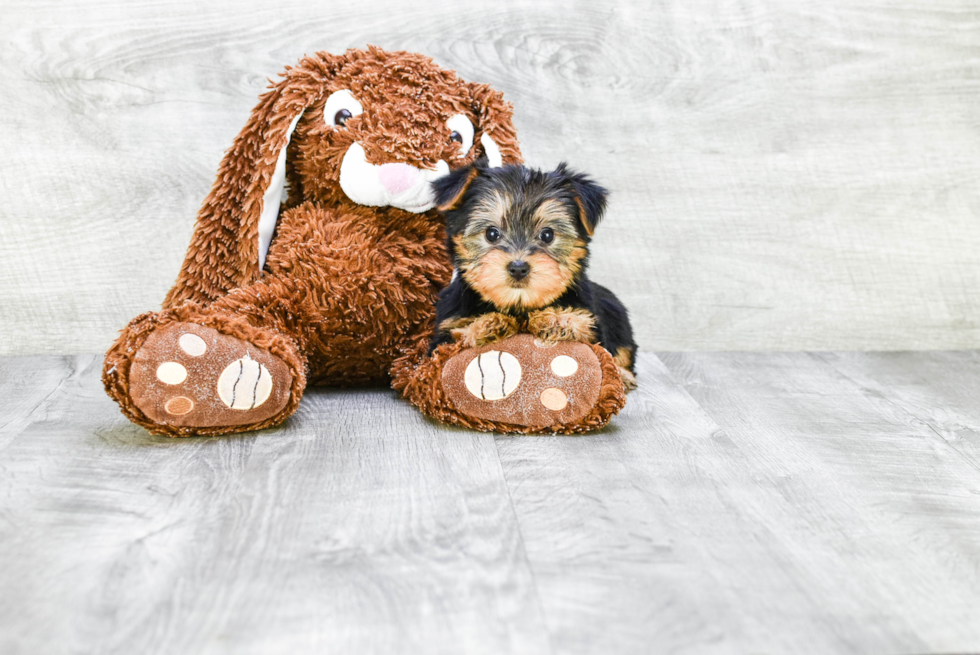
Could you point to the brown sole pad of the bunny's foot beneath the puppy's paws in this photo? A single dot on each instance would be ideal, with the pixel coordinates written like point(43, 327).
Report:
point(524, 382)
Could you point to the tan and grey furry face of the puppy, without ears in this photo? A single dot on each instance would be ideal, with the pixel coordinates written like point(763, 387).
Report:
point(543, 235)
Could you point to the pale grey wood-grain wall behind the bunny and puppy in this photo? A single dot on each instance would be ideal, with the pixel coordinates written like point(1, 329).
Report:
point(785, 175)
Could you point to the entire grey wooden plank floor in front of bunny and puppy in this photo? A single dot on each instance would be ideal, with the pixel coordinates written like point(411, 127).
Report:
point(780, 503)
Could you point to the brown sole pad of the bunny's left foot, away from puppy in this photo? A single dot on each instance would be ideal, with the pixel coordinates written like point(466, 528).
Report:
point(188, 375)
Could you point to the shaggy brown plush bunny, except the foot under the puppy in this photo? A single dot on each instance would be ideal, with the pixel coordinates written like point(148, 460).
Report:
point(337, 282)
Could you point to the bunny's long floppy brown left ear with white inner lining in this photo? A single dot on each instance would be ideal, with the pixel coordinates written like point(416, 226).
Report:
point(238, 218)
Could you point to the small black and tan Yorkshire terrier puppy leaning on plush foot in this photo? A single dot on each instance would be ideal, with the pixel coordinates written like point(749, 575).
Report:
point(519, 239)
